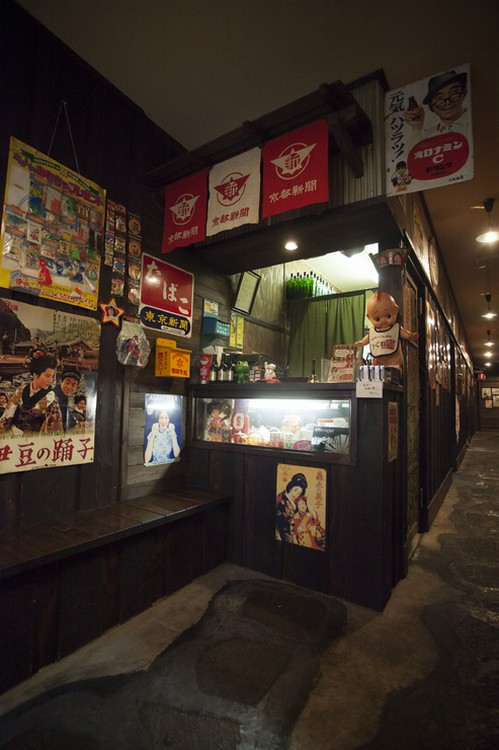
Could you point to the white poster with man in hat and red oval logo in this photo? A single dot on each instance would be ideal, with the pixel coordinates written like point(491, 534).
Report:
point(429, 141)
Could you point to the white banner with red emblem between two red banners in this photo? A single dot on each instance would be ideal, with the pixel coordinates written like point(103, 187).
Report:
point(234, 193)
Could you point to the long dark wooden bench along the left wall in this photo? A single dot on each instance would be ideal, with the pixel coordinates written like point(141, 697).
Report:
point(67, 580)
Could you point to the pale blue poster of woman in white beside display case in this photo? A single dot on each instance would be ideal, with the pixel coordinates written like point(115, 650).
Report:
point(163, 432)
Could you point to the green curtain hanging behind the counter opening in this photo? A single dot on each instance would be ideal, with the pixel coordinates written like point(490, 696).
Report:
point(315, 325)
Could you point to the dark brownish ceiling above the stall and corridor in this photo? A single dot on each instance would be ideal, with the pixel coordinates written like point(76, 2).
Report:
point(200, 69)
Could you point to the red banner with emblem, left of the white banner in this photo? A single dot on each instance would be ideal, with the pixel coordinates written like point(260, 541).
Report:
point(185, 212)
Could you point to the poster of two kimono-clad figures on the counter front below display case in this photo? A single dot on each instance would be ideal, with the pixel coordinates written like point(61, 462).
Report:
point(301, 506)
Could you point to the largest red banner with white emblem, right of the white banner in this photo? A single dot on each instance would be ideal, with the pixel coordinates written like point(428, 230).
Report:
point(295, 170)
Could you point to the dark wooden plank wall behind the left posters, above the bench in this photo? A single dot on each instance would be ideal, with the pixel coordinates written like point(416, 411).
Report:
point(115, 144)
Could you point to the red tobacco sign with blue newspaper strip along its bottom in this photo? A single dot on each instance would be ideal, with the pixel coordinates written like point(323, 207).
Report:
point(166, 297)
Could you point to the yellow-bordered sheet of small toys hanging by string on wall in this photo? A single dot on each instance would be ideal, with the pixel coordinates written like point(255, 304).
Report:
point(52, 230)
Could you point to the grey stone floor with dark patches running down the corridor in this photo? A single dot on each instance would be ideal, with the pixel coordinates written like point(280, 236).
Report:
point(237, 661)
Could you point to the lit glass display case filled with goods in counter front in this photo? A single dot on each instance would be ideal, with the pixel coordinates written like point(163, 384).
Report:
point(315, 421)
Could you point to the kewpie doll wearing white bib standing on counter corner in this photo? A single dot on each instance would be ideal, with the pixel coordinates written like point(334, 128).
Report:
point(384, 337)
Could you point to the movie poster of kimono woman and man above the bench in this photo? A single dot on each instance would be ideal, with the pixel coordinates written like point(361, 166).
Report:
point(48, 384)
